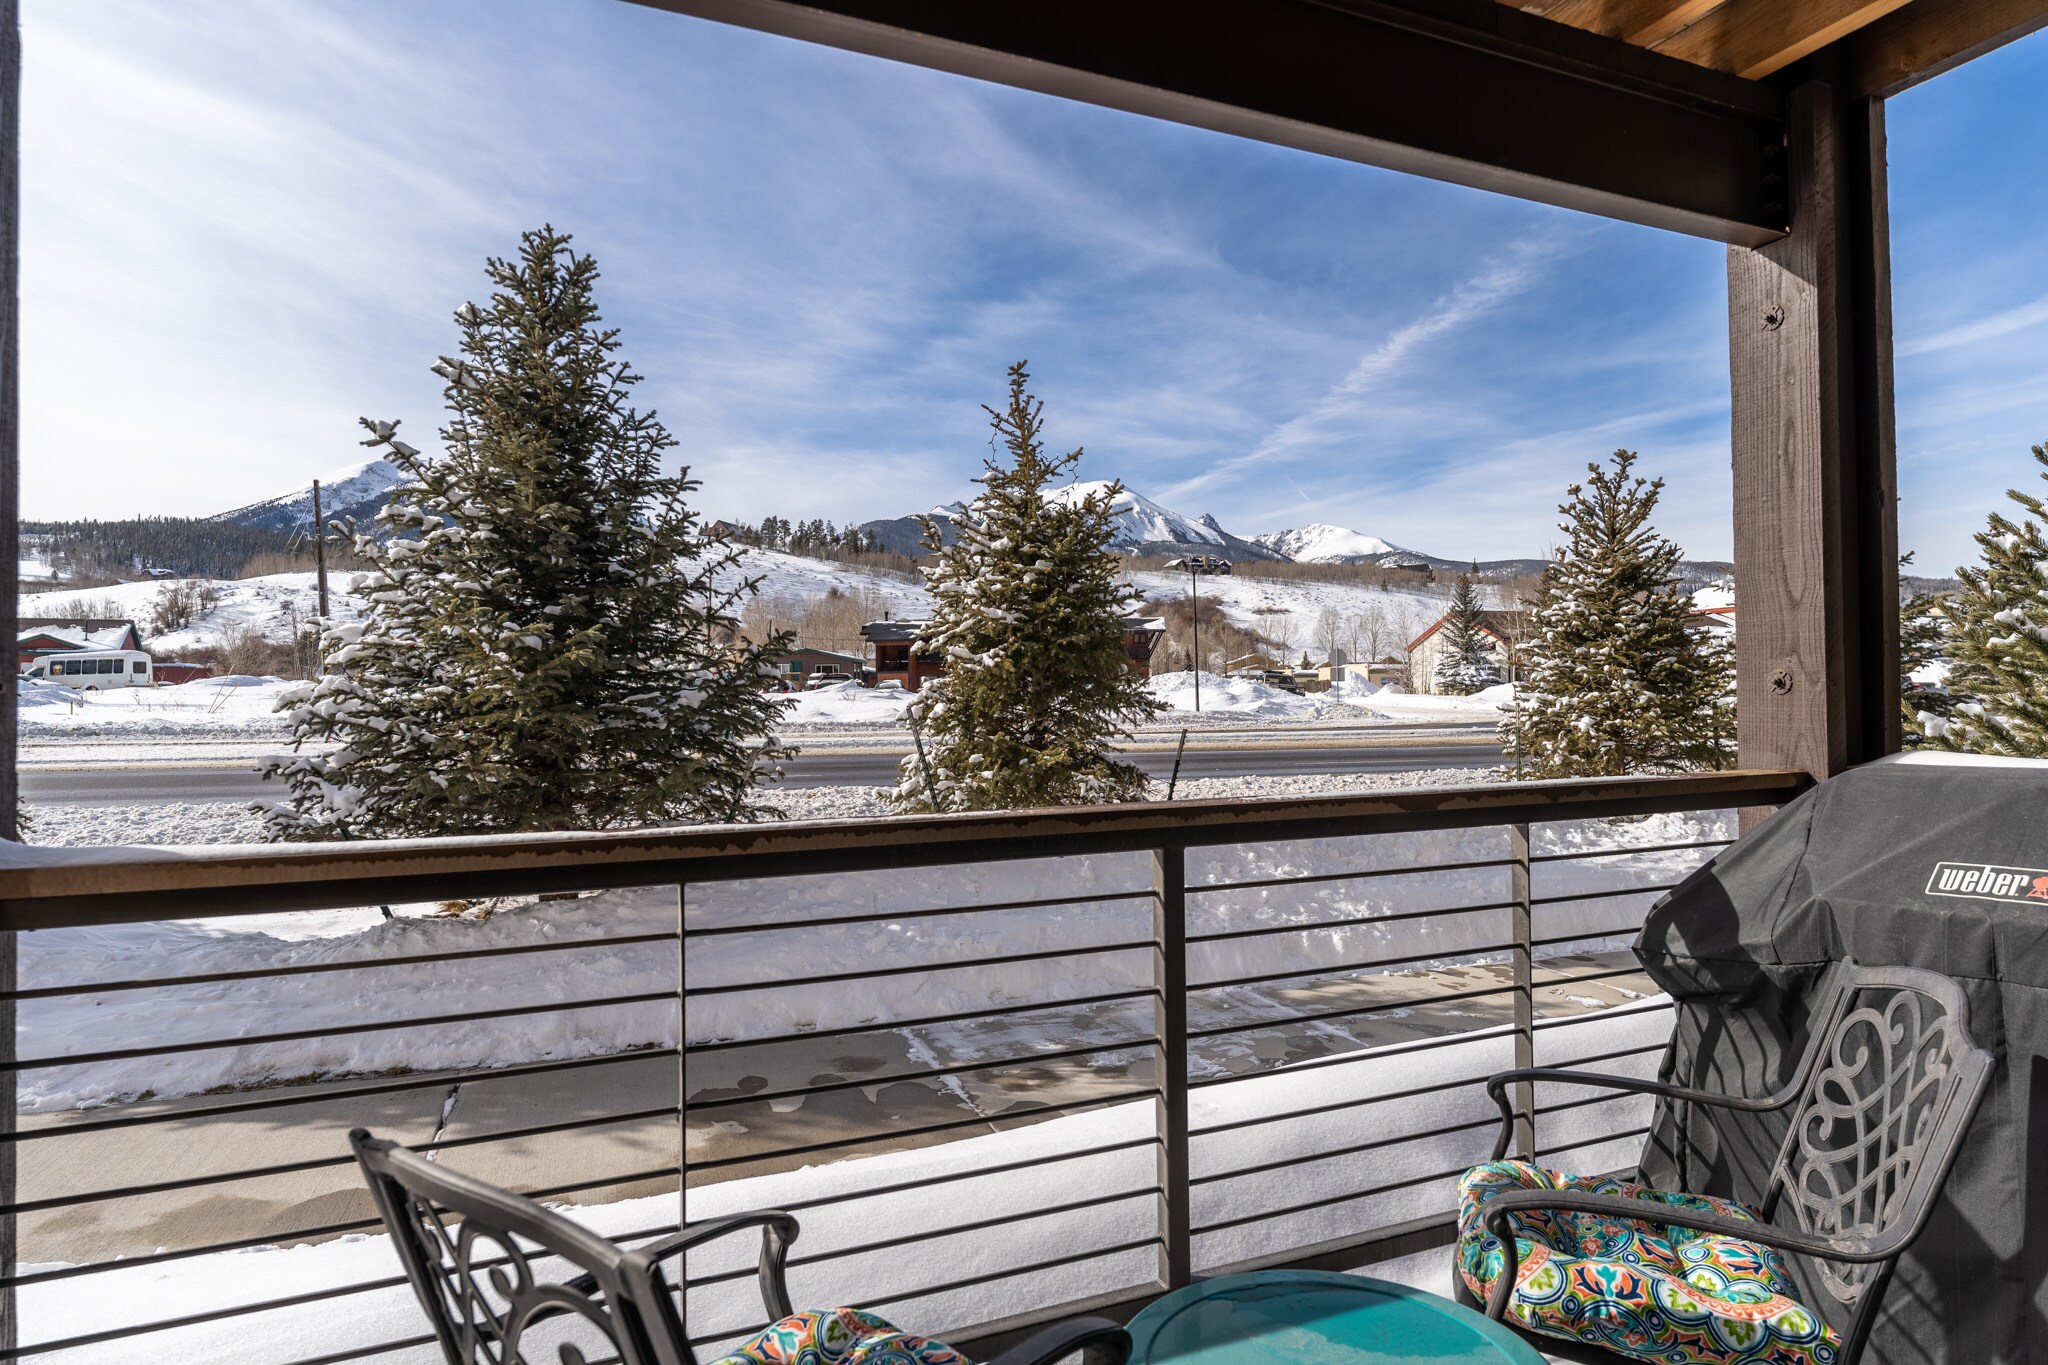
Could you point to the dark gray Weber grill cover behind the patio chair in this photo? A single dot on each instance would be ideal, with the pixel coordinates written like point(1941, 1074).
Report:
point(1852, 871)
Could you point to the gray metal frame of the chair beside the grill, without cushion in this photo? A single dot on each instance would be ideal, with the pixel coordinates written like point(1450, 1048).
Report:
point(1877, 1110)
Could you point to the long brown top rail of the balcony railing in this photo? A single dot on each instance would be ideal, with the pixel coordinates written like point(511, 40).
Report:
point(126, 885)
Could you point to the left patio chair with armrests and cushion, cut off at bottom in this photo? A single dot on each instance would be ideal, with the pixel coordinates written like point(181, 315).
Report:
point(472, 1249)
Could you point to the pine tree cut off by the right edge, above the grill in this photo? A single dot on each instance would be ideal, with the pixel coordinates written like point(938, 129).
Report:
point(2000, 646)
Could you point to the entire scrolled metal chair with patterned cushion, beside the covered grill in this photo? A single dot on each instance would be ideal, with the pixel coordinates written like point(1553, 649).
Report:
point(1879, 1108)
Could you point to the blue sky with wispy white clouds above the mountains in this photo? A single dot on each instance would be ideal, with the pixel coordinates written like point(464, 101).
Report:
point(247, 224)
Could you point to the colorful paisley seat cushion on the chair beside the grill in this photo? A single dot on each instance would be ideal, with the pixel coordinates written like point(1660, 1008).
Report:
point(1646, 1290)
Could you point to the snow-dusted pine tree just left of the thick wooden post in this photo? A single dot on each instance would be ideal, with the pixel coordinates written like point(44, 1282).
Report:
point(1615, 678)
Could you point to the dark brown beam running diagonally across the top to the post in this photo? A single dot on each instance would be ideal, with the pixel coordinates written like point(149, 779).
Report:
point(1463, 91)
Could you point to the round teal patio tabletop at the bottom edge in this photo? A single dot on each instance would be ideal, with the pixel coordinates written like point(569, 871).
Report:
point(1318, 1319)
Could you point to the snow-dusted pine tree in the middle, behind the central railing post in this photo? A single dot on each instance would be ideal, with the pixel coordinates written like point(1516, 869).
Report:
point(1029, 615)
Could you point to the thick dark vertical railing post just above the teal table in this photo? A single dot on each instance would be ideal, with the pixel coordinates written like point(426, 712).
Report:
point(1170, 1026)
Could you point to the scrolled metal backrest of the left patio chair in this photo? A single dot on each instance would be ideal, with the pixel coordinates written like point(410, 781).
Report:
point(474, 1258)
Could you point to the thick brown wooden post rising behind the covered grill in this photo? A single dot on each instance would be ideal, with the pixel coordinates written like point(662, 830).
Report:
point(1816, 488)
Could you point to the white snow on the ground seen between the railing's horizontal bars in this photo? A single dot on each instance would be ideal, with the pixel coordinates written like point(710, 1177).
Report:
point(1365, 1096)
